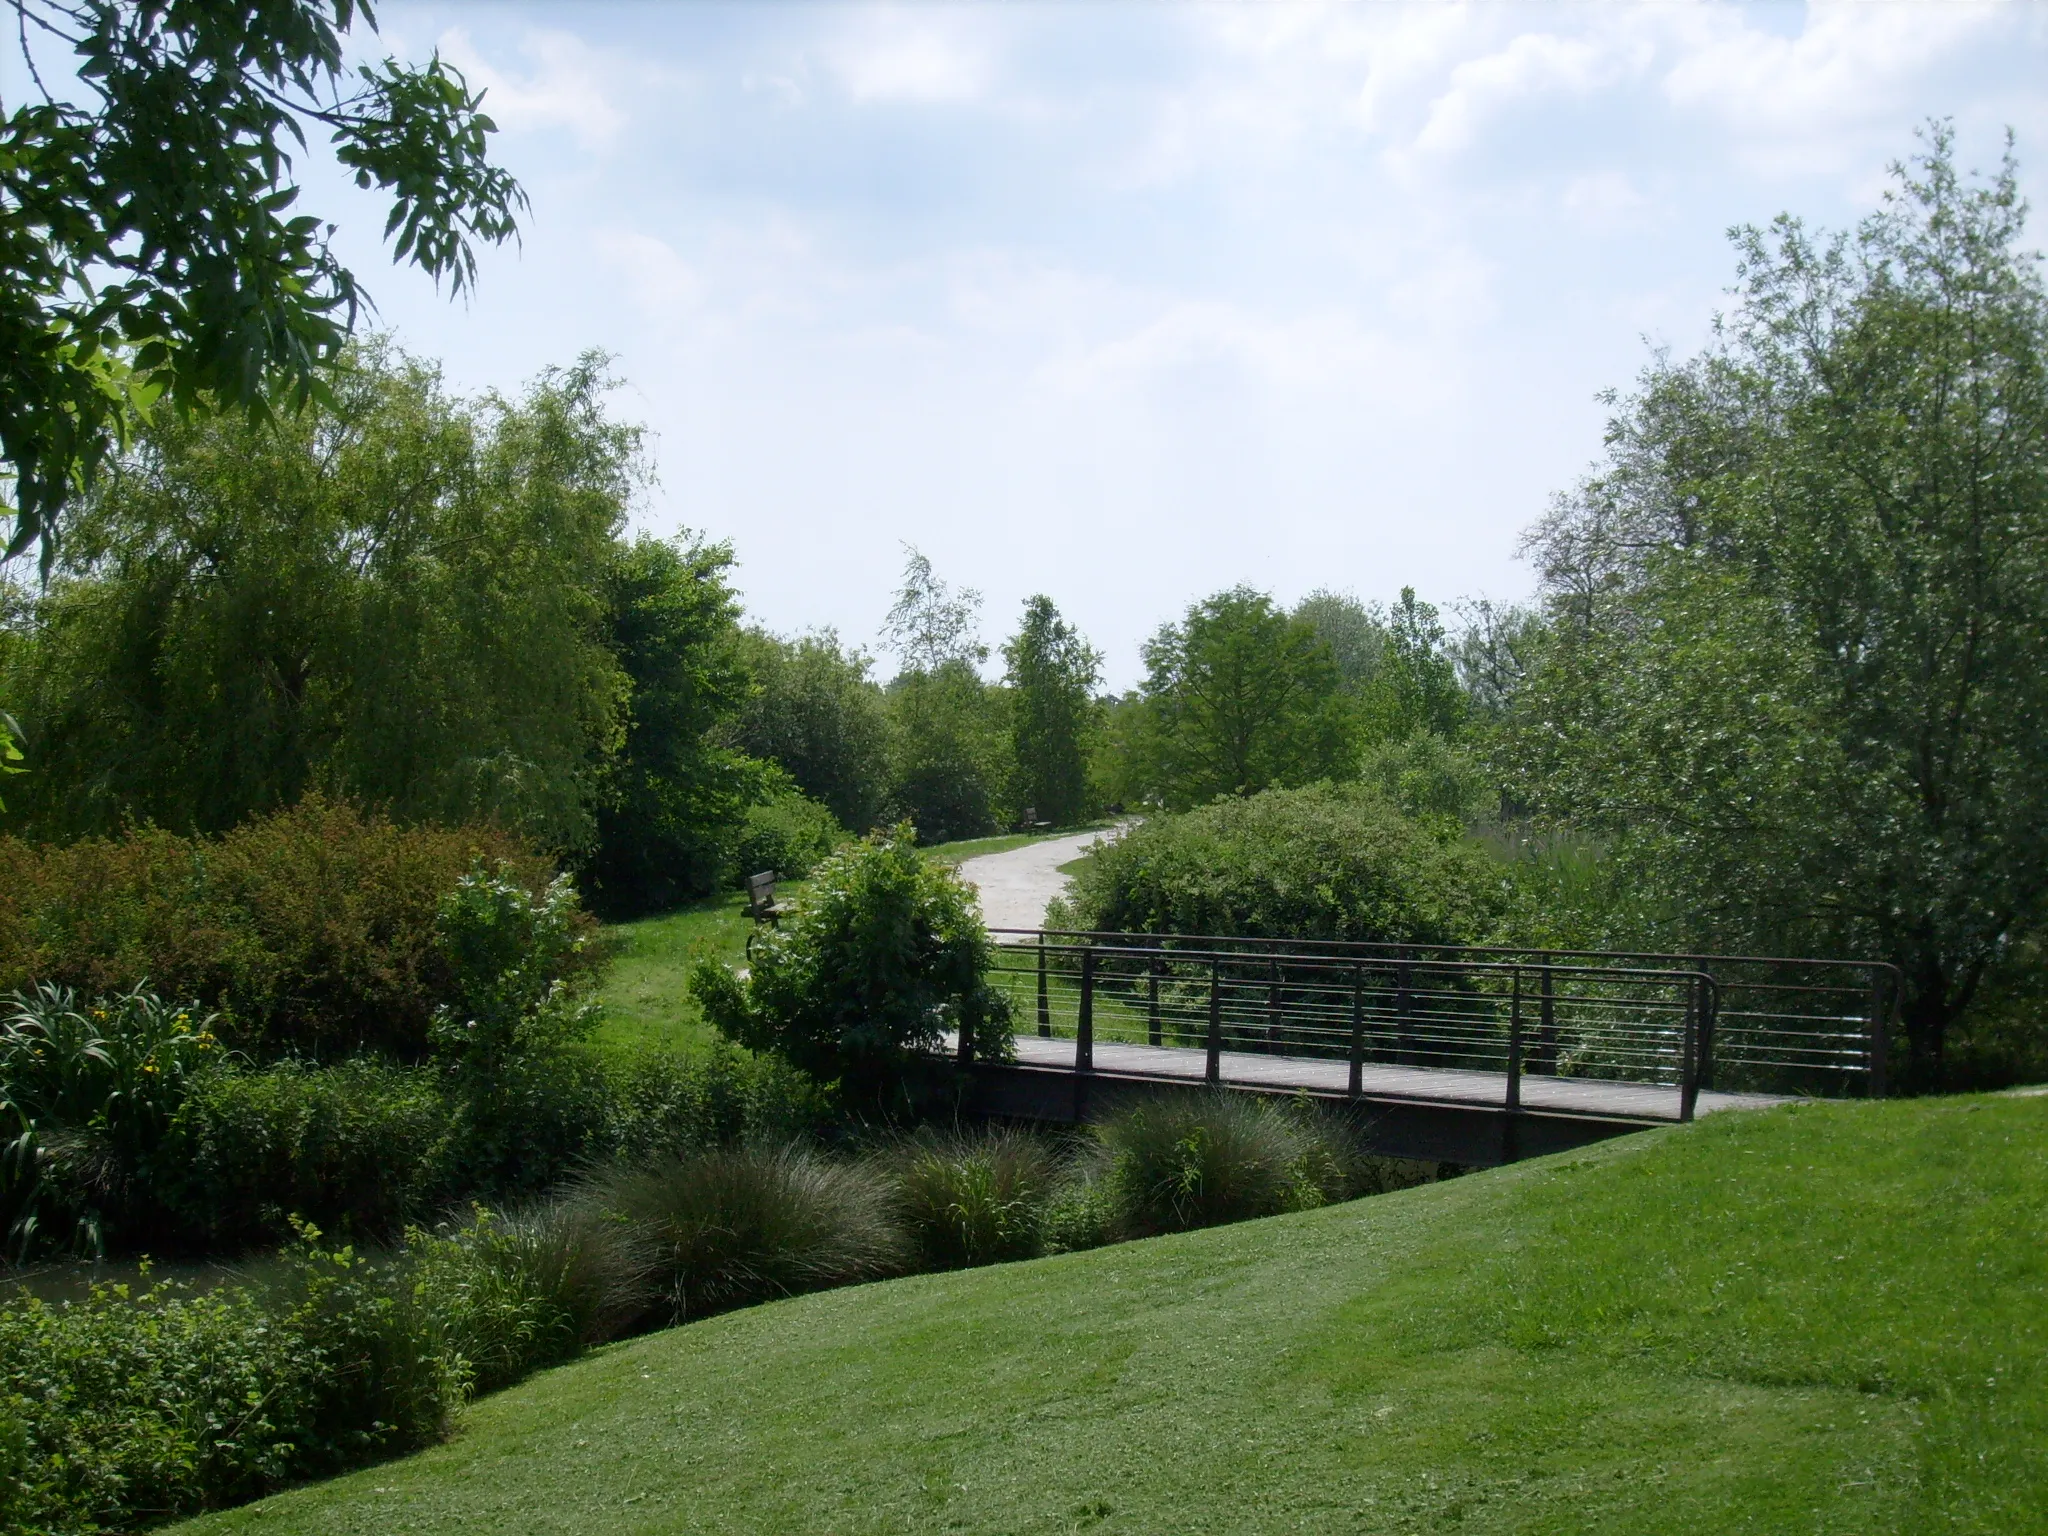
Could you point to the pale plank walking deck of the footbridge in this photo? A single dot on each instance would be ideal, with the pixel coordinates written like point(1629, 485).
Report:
point(1383, 1082)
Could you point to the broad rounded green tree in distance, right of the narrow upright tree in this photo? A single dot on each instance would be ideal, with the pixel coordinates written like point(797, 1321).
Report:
point(1240, 697)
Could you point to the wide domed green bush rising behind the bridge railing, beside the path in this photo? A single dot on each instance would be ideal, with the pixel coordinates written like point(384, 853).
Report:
point(1299, 863)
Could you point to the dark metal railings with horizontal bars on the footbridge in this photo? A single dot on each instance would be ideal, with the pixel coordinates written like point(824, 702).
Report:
point(1682, 1023)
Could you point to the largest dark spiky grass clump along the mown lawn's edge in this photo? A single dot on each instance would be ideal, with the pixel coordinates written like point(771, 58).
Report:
point(749, 1224)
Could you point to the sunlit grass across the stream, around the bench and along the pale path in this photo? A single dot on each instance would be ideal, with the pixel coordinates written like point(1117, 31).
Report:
point(646, 992)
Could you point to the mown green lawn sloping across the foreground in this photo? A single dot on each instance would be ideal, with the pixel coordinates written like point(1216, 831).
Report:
point(1820, 1320)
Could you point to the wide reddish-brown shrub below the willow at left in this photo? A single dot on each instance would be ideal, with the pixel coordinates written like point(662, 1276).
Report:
point(312, 931)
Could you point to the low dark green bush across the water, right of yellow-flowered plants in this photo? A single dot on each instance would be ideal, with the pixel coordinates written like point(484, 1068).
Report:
point(359, 1148)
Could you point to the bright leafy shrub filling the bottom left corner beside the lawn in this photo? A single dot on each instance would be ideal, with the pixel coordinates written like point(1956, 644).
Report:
point(138, 1408)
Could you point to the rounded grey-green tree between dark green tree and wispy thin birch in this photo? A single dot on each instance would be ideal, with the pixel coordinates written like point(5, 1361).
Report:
point(818, 718)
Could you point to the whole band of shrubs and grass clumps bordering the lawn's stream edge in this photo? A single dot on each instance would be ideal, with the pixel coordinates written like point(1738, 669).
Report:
point(130, 1408)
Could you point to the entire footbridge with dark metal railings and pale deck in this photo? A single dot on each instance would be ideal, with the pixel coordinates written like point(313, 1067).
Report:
point(1451, 1054)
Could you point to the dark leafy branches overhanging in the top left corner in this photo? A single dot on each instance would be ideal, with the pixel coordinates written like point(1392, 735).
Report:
point(146, 243)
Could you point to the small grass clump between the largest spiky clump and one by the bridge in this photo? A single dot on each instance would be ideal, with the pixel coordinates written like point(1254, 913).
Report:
point(974, 1197)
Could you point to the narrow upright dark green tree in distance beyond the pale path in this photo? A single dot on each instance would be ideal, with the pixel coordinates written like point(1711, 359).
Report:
point(1052, 681)
